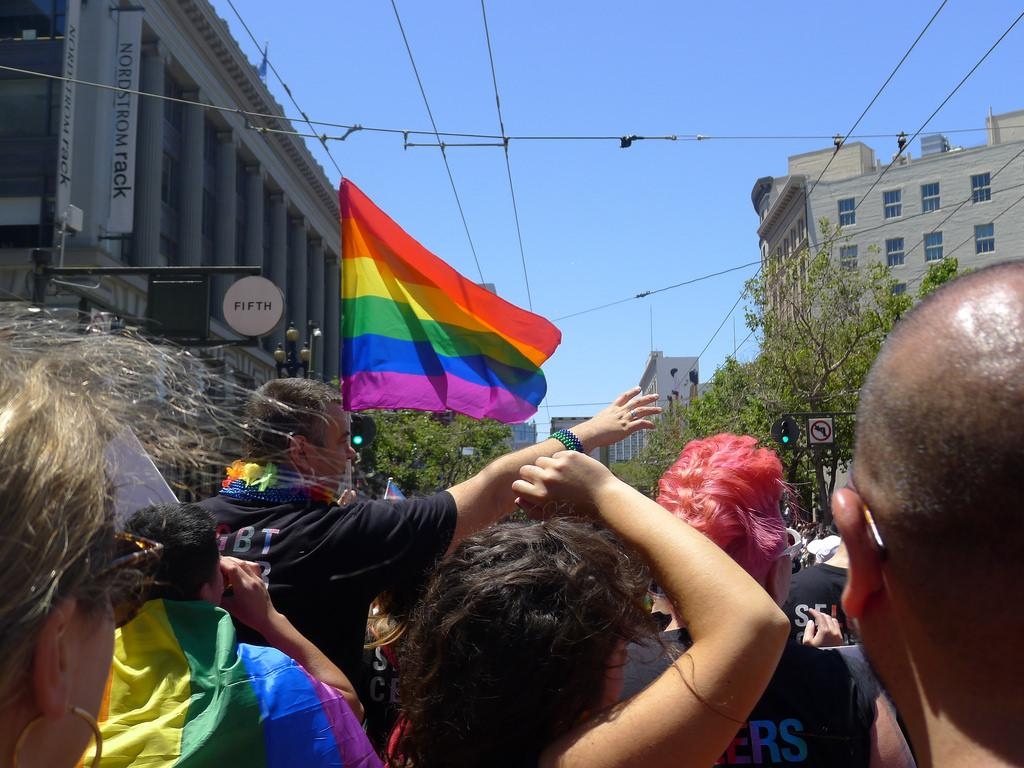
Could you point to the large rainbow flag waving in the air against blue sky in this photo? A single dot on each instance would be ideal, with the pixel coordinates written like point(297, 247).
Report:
point(416, 334)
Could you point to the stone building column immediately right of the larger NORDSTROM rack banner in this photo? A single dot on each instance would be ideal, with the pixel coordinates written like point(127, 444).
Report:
point(150, 160)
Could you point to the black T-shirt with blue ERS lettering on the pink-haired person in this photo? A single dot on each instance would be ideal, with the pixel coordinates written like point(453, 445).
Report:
point(818, 711)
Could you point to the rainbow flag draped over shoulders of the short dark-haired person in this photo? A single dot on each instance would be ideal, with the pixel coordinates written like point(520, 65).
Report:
point(184, 693)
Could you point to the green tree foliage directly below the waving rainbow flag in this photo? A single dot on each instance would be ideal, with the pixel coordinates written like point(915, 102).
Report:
point(426, 453)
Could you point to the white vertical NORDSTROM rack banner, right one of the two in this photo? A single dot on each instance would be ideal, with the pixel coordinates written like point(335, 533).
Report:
point(129, 63)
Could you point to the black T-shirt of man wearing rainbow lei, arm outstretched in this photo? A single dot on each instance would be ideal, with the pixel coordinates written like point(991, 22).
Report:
point(325, 565)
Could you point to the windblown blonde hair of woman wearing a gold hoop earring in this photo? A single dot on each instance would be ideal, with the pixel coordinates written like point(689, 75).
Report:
point(65, 395)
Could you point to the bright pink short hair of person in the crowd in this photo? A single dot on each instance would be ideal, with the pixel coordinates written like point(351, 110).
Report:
point(730, 490)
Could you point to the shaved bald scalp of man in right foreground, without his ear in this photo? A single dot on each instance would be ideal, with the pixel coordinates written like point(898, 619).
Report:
point(941, 430)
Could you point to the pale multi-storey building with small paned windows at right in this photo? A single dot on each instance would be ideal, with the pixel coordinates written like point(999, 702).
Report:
point(951, 202)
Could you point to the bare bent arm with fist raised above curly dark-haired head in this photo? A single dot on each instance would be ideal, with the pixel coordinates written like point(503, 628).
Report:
point(689, 716)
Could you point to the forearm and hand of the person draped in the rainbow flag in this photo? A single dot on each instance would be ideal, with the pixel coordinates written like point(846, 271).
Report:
point(250, 604)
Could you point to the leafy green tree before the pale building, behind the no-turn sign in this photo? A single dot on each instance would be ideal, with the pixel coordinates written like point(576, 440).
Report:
point(821, 328)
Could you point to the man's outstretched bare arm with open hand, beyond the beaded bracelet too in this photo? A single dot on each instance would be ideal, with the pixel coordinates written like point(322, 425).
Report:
point(488, 497)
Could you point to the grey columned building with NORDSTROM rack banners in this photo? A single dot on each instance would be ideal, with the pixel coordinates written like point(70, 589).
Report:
point(189, 173)
